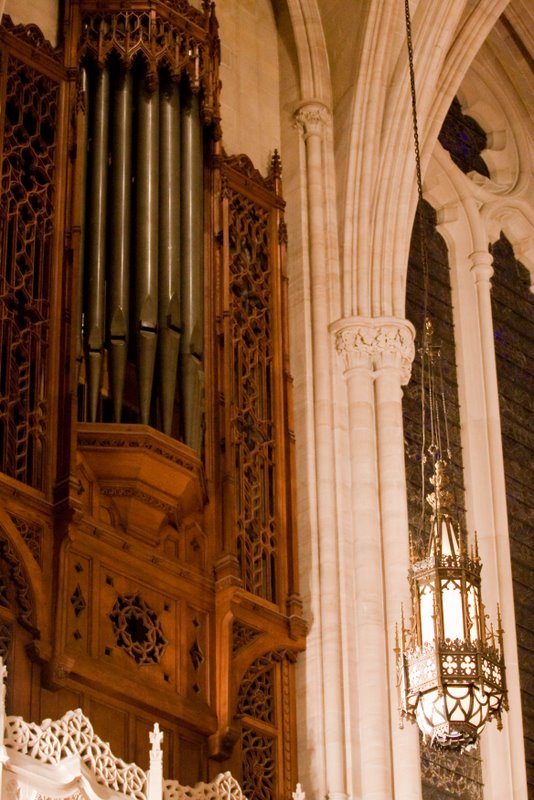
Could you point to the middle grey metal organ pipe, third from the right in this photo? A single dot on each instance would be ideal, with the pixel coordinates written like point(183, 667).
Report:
point(147, 242)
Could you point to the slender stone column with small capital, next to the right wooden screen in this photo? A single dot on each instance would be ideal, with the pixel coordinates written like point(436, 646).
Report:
point(325, 642)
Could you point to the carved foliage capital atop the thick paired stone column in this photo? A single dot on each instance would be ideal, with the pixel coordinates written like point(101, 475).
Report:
point(376, 344)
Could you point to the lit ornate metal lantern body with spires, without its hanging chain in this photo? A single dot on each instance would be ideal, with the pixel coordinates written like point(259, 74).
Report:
point(450, 666)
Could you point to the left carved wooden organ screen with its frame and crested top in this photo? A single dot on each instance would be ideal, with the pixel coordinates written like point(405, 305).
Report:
point(33, 160)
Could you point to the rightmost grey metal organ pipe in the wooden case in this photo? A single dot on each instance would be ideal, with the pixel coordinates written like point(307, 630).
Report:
point(192, 278)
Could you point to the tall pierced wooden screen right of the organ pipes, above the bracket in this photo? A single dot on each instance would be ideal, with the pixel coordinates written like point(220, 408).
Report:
point(256, 384)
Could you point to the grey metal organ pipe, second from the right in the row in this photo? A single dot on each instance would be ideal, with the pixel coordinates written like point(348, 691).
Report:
point(169, 314)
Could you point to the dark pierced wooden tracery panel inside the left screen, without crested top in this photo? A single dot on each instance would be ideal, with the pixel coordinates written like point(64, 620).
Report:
point(26, 232)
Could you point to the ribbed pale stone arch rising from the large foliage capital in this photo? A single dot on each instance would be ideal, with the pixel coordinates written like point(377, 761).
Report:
point(381, 191)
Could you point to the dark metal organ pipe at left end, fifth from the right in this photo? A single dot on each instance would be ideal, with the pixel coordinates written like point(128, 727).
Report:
point(97, 237)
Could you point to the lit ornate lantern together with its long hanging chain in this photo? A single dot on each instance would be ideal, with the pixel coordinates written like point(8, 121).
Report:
point(450, 666)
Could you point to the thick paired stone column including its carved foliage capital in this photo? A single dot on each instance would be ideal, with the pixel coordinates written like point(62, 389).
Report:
point(377, 355)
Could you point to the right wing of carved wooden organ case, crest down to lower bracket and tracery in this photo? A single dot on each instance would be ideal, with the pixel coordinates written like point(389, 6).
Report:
point(259, 612)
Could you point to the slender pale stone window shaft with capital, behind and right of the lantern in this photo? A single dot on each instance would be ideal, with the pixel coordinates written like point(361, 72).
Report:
point(503, 753)
